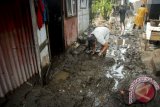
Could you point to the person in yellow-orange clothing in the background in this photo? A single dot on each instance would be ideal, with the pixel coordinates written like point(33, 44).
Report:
point(139, 18)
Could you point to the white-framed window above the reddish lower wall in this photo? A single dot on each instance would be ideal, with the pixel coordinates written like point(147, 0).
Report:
point(71, 8)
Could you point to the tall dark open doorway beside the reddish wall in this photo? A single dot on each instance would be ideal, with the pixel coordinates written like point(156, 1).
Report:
point(55, 27)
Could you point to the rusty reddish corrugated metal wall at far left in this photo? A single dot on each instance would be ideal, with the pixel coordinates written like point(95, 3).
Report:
point(17, 50)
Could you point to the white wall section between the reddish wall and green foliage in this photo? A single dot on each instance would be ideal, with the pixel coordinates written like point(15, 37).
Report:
point(83, 17)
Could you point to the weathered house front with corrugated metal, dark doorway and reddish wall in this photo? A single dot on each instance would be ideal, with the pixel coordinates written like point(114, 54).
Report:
point(28, 43)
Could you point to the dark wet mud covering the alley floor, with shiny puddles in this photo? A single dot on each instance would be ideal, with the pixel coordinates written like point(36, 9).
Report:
point(82, 80)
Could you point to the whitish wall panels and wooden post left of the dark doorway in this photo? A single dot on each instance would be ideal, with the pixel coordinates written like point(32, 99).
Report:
point(39, 37)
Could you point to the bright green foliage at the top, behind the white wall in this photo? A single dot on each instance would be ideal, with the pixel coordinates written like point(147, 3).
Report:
point(101, 6)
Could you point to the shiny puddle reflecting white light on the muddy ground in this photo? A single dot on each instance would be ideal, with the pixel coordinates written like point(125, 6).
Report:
point(117, 51)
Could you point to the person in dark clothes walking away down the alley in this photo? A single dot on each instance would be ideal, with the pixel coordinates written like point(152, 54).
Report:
point(122, 13)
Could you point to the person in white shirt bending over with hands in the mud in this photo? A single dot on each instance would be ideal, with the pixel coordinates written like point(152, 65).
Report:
point(100, 35)
